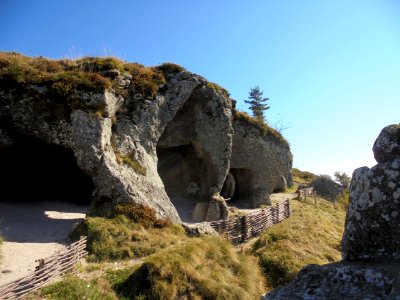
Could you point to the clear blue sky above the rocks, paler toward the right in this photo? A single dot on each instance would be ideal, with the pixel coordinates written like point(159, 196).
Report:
point(330, 68)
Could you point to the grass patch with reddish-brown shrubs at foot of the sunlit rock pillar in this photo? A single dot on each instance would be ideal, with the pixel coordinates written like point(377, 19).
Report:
point(128, 231)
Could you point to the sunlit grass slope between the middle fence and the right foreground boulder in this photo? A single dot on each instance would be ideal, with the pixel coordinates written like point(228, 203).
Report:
point(312, 235)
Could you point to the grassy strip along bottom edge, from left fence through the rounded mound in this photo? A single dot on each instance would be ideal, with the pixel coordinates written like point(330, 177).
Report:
point(200, 268)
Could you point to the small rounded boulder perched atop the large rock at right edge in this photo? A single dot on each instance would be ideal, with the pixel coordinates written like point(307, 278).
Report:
point(387, 145)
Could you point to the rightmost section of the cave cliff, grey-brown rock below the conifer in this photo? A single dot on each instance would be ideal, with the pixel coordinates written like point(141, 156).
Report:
point(258, 164)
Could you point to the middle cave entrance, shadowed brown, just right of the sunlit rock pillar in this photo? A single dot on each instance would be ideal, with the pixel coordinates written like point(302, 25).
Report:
point(185, 176)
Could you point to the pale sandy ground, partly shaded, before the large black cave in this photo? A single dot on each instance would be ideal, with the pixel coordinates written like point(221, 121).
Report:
point(33, 230)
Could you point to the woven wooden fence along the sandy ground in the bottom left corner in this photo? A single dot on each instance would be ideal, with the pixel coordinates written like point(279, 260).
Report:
point(47, 270)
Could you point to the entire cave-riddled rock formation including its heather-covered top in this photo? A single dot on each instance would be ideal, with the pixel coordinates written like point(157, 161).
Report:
point(161, 136)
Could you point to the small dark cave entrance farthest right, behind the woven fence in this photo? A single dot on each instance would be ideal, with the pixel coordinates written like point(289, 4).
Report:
point(238, 188)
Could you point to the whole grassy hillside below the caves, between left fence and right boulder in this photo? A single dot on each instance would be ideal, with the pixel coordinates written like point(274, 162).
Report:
point(149, 260)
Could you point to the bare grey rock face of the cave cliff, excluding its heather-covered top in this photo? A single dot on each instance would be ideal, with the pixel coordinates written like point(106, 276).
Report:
point(148, 151)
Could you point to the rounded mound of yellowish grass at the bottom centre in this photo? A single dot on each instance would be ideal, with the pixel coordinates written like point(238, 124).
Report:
point(201, 268)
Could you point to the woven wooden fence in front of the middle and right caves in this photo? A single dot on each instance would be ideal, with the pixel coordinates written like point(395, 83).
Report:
point(240, 229)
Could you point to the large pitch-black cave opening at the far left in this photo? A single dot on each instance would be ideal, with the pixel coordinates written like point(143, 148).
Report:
point(32, 170)
